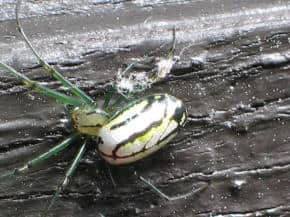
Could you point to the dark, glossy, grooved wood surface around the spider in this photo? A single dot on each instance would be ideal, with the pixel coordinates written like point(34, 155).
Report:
point(233, 76)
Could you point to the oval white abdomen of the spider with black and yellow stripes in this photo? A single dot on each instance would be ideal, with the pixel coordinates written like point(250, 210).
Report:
point(141, 128)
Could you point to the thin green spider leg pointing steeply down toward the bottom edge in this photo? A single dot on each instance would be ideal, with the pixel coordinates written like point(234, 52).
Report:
point(68, 176)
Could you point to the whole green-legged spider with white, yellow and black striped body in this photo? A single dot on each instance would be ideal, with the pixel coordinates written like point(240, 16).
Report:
point(132, 133)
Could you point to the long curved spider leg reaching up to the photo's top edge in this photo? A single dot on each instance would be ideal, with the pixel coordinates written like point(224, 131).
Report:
point(75, 90)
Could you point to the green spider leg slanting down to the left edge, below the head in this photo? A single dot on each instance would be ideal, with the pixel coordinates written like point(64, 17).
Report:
point(39, 159)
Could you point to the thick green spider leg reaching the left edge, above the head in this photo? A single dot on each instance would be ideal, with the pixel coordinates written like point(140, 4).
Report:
point(42, 89)
